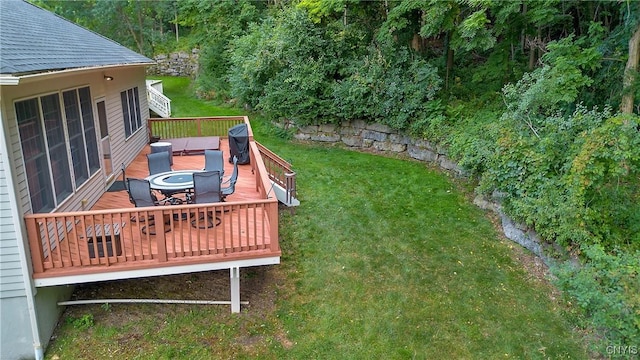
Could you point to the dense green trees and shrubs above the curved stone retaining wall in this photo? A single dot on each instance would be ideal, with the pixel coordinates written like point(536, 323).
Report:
point(524, 94)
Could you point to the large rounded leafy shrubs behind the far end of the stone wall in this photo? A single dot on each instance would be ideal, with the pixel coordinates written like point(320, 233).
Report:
point(298, 61)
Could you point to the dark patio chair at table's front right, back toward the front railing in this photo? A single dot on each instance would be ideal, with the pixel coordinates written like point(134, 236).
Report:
point(206, 190)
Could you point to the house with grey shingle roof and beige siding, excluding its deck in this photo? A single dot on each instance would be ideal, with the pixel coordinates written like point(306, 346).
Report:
point(47, 65)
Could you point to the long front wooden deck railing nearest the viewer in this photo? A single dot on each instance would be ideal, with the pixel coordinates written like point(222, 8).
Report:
point(151, 236)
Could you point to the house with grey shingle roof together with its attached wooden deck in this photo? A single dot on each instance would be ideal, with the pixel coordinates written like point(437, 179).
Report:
point(72, 109)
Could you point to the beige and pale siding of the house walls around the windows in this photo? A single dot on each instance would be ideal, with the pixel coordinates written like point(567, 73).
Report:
point(15, 327)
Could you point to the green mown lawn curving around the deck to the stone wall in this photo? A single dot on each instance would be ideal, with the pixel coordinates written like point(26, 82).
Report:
point(384, 259)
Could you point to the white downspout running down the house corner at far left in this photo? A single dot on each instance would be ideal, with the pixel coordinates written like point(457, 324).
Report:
point(29, 287)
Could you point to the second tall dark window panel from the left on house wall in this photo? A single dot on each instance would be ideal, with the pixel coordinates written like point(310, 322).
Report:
point(58, 156)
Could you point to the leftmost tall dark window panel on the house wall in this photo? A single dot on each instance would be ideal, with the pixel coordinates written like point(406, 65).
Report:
point(35, 155)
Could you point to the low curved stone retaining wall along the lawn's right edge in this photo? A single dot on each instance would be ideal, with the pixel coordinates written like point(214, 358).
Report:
point(358, 134)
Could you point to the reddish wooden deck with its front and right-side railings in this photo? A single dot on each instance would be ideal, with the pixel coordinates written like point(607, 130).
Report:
point(245, 231)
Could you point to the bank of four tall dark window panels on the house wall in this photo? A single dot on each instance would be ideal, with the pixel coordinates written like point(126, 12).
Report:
point(59, 148)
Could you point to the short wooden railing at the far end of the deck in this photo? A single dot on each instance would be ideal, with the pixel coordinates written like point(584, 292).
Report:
point(197, 126)
